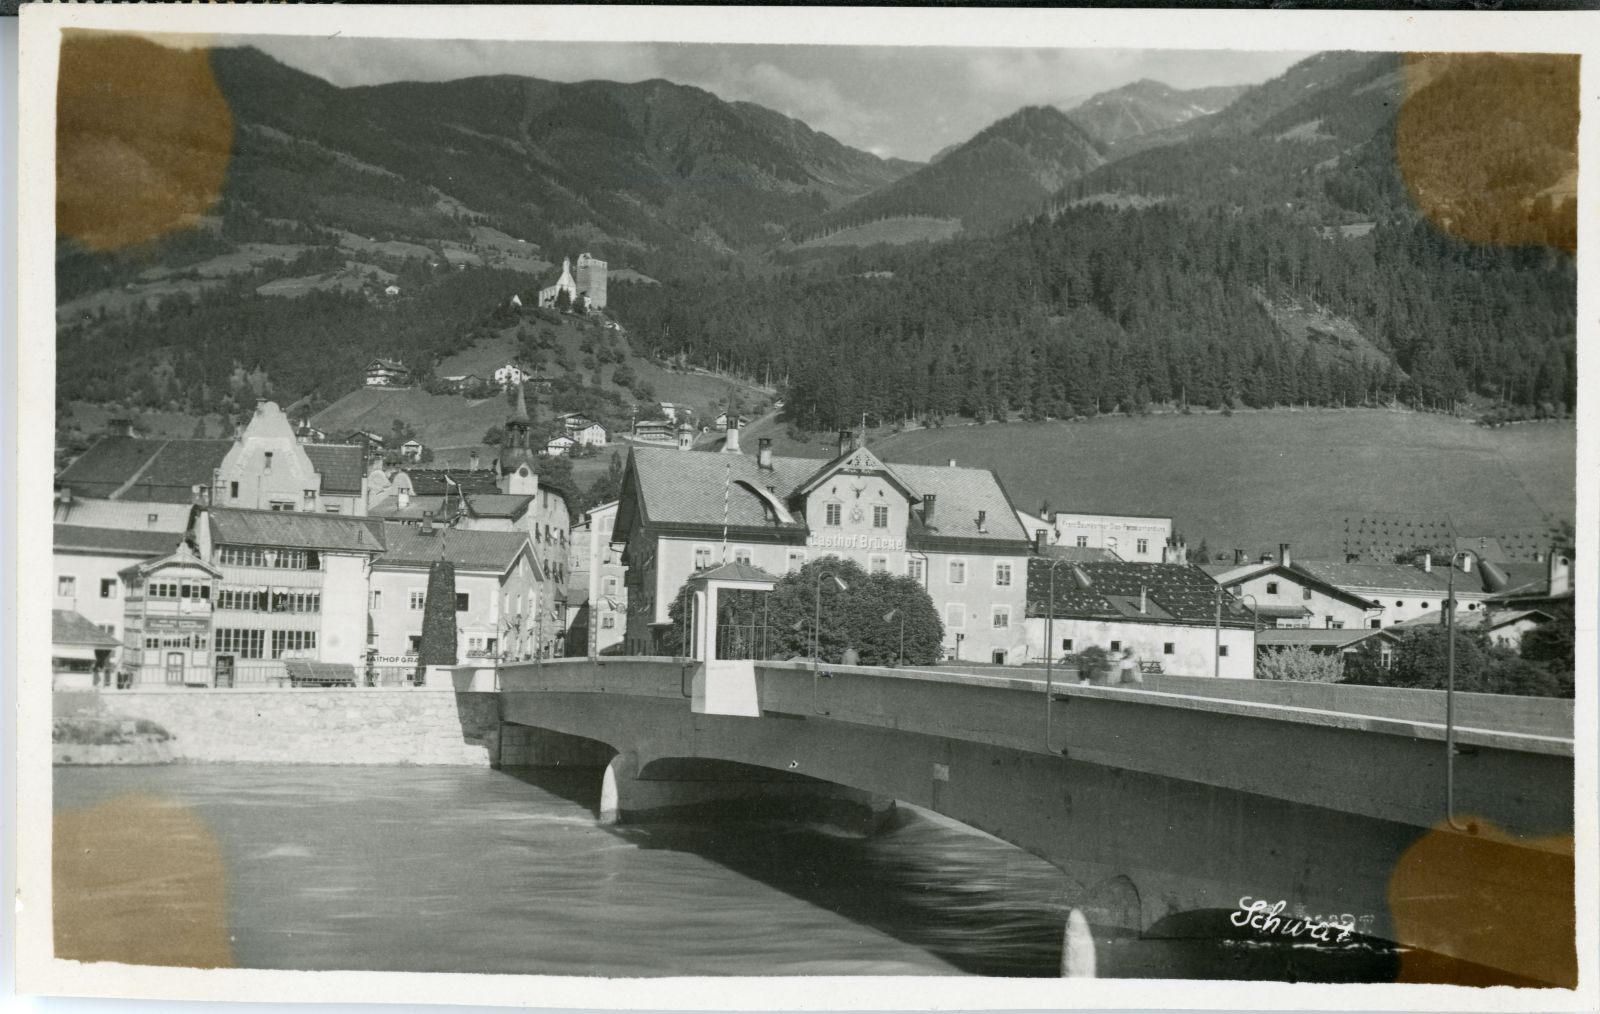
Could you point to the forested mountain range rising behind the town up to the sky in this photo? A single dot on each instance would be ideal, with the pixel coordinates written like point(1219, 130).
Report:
point(457, 194)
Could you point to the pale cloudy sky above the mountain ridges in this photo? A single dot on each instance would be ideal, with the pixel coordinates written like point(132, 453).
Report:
point(894, 102)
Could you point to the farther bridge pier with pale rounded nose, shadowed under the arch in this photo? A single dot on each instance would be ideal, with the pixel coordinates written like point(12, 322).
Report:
point(700, 789)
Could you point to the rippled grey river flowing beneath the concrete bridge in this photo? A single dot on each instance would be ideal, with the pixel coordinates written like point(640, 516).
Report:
point(478, 871)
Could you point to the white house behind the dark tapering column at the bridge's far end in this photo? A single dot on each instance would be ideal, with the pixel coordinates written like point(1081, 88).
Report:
point(497, 594)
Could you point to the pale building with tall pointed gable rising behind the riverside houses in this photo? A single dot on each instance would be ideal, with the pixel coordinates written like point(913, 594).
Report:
point(268, 469)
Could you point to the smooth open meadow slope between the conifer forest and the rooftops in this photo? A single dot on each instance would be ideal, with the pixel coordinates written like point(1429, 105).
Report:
point(1254, 481)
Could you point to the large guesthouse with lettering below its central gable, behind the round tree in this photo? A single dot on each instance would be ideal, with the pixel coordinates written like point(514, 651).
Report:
point(951, 530)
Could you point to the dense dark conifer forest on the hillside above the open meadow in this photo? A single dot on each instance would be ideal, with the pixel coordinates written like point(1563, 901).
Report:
point(1106, 311)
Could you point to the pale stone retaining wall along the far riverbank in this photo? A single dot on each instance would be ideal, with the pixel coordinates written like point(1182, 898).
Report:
point(321, 727)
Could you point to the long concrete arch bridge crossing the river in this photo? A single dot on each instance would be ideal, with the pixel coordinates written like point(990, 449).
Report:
point(1174, 797)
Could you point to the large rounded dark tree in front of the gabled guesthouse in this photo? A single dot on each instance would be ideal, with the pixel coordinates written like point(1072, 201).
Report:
point(865, 615)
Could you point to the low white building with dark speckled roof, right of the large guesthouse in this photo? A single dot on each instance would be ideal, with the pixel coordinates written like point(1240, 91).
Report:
point(1172, 617)
